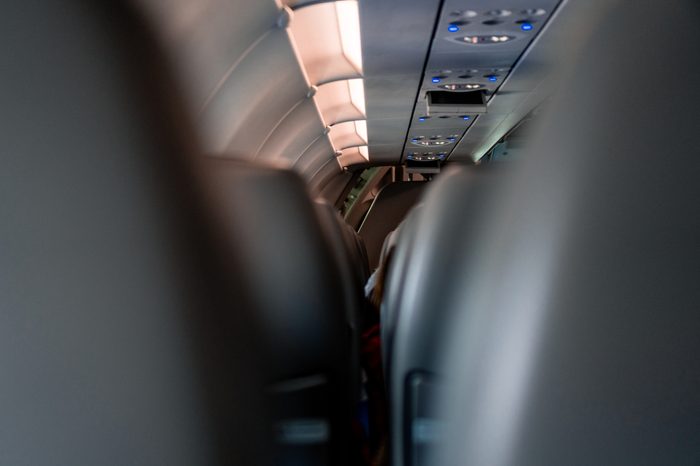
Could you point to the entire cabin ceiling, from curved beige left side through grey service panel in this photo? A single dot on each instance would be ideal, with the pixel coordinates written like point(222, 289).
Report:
point(318, 86)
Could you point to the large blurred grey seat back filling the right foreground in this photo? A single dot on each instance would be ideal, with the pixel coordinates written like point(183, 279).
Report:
point(578, 342)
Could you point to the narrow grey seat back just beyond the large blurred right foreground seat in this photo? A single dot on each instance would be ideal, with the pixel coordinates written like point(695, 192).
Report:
point(435, 236)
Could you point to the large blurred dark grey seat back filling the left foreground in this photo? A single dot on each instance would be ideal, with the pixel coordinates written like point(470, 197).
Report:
point(117, 340)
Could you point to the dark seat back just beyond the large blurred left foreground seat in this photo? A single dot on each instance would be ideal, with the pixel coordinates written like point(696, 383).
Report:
point(298, 276)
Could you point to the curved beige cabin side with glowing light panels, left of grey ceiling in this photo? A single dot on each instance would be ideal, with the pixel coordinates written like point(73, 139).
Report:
point(273, 81)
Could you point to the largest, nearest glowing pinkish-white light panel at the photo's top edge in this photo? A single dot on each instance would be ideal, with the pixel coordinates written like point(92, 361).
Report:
point(327, 39)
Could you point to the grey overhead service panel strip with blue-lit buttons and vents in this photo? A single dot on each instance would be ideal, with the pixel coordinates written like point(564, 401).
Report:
point(476, 45)
